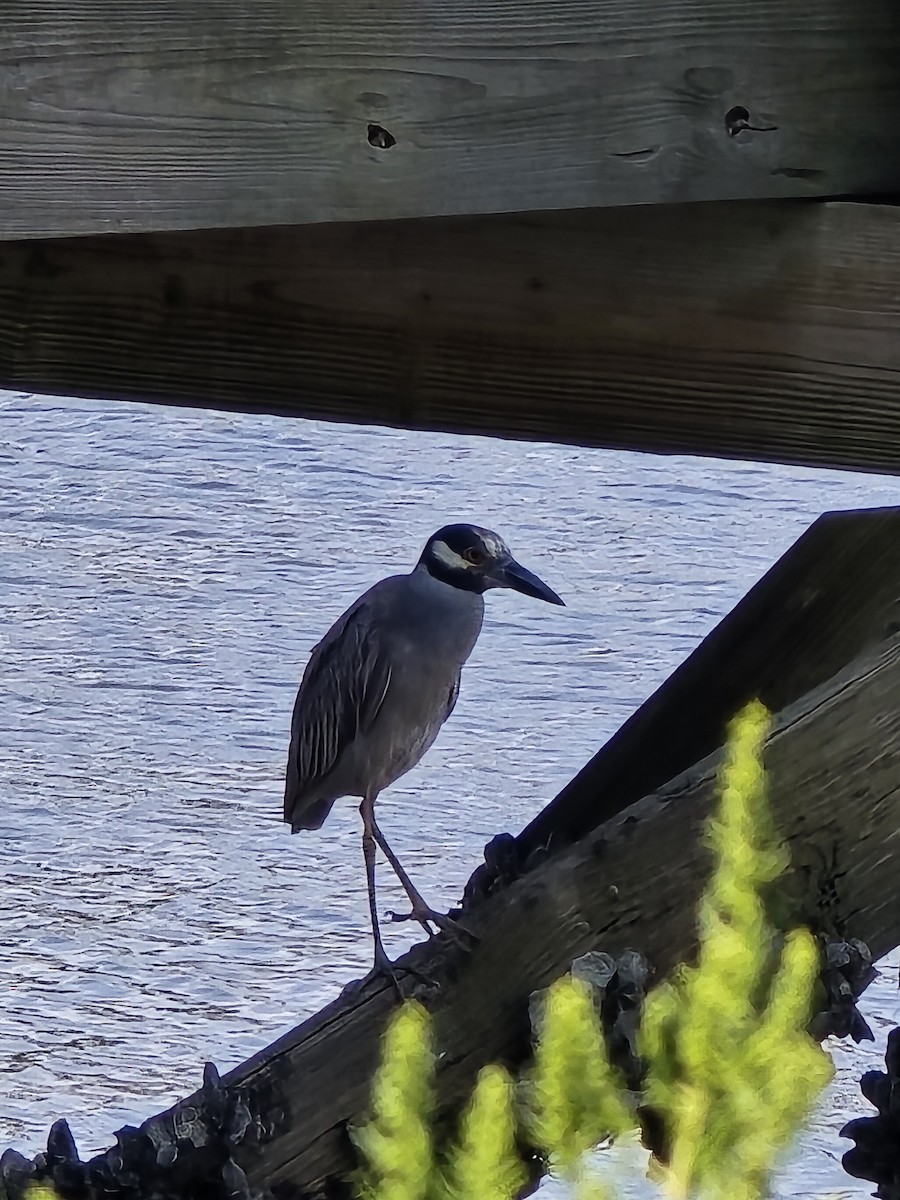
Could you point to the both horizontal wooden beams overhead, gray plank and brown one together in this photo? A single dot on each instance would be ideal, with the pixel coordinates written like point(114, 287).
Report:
point(477, 218)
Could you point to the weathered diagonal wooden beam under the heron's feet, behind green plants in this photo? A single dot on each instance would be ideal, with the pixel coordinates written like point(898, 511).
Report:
point(835, 773)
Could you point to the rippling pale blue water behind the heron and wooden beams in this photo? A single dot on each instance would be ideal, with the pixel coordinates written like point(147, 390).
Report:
point(164, 575)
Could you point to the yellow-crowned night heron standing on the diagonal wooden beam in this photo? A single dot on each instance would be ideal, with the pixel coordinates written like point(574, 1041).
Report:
point(383, 681)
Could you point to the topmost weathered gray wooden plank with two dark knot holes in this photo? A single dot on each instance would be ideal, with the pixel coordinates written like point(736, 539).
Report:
point(173, 115)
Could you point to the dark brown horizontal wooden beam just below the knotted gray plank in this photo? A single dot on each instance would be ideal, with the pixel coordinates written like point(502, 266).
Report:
point(764, 331)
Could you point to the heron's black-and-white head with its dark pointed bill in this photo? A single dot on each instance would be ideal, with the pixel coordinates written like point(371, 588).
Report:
point(476, 560)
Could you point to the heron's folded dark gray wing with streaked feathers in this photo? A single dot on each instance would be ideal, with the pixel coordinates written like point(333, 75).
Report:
point(341, 693)
